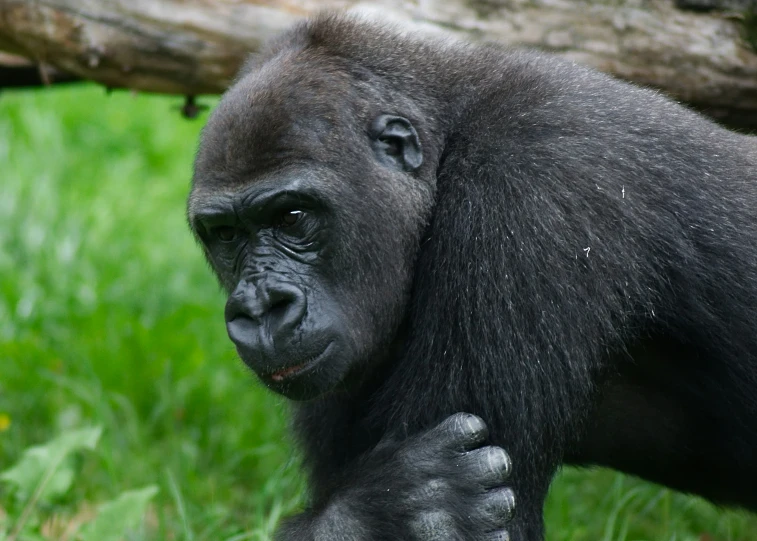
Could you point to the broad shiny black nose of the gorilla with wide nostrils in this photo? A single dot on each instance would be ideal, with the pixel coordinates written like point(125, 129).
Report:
point(264, 314)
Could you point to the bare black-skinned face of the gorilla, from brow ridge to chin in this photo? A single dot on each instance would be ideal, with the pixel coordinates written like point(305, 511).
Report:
point(270, 245)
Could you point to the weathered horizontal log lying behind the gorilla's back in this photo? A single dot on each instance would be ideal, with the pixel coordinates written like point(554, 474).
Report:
point(195, 46)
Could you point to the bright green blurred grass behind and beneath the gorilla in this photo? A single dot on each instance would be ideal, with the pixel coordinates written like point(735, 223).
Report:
point(109, 316)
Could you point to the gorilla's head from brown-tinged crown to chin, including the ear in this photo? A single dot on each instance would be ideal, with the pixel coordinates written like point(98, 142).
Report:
point(311, 218)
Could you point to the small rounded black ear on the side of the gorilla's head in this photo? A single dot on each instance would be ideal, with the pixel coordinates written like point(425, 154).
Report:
point(396, 143)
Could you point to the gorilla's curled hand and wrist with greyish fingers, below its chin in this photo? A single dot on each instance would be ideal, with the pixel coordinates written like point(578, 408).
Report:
point(441, 485)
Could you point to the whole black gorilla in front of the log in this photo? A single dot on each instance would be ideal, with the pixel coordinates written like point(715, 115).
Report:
point(410, 228)
